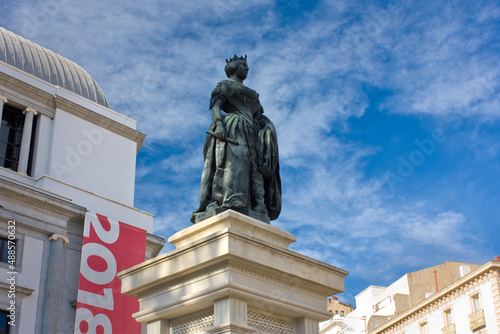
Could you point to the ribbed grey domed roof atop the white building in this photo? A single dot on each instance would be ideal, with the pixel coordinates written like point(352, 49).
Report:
point(48, 66)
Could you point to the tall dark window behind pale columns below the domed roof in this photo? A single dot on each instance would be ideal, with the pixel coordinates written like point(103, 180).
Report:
point(11, 133)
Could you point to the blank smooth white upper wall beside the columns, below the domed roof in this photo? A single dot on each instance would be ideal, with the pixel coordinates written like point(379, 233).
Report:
point(92, 158)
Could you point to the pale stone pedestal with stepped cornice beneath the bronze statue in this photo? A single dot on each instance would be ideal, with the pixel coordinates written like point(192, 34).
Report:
point(232, 274)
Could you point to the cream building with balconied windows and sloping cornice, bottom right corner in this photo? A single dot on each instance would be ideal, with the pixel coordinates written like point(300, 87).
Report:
point(469, 305)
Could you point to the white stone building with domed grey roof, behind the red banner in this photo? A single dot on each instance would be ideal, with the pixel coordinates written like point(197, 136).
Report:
point(63, 153)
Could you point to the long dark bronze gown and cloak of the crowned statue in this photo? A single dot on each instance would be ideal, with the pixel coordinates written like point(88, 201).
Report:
point(243, 177)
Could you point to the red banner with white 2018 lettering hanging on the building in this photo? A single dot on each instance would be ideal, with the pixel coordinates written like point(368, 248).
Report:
point(108, 247)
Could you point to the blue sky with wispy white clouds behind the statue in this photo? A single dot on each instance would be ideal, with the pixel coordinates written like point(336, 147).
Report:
point(387, 114)
